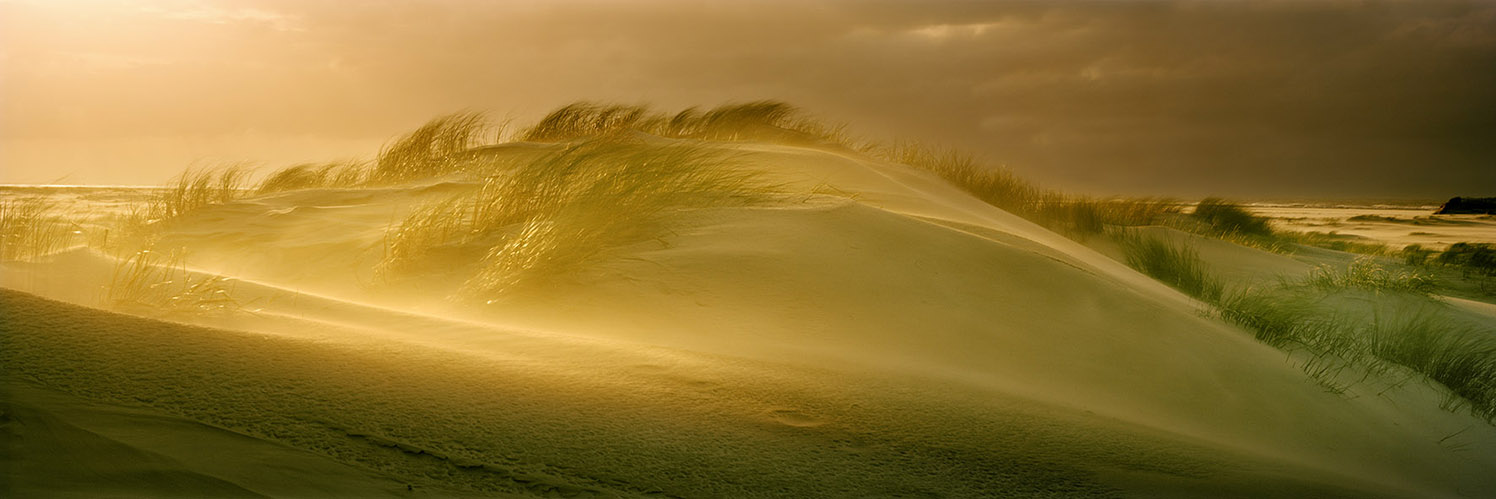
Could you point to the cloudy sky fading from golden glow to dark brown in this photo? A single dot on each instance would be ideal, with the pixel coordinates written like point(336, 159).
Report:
point(1253, 99)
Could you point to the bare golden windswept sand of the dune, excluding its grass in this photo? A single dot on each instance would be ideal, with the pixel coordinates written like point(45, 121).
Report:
point(897, 340)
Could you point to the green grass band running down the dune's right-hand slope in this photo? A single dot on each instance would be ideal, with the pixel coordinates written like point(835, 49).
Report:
point(1302, 317)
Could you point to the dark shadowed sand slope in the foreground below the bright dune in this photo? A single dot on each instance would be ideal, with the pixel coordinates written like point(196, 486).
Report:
point(370, 419)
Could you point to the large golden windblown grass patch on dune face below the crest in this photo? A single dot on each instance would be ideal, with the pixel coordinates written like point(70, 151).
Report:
point(560, 213)
